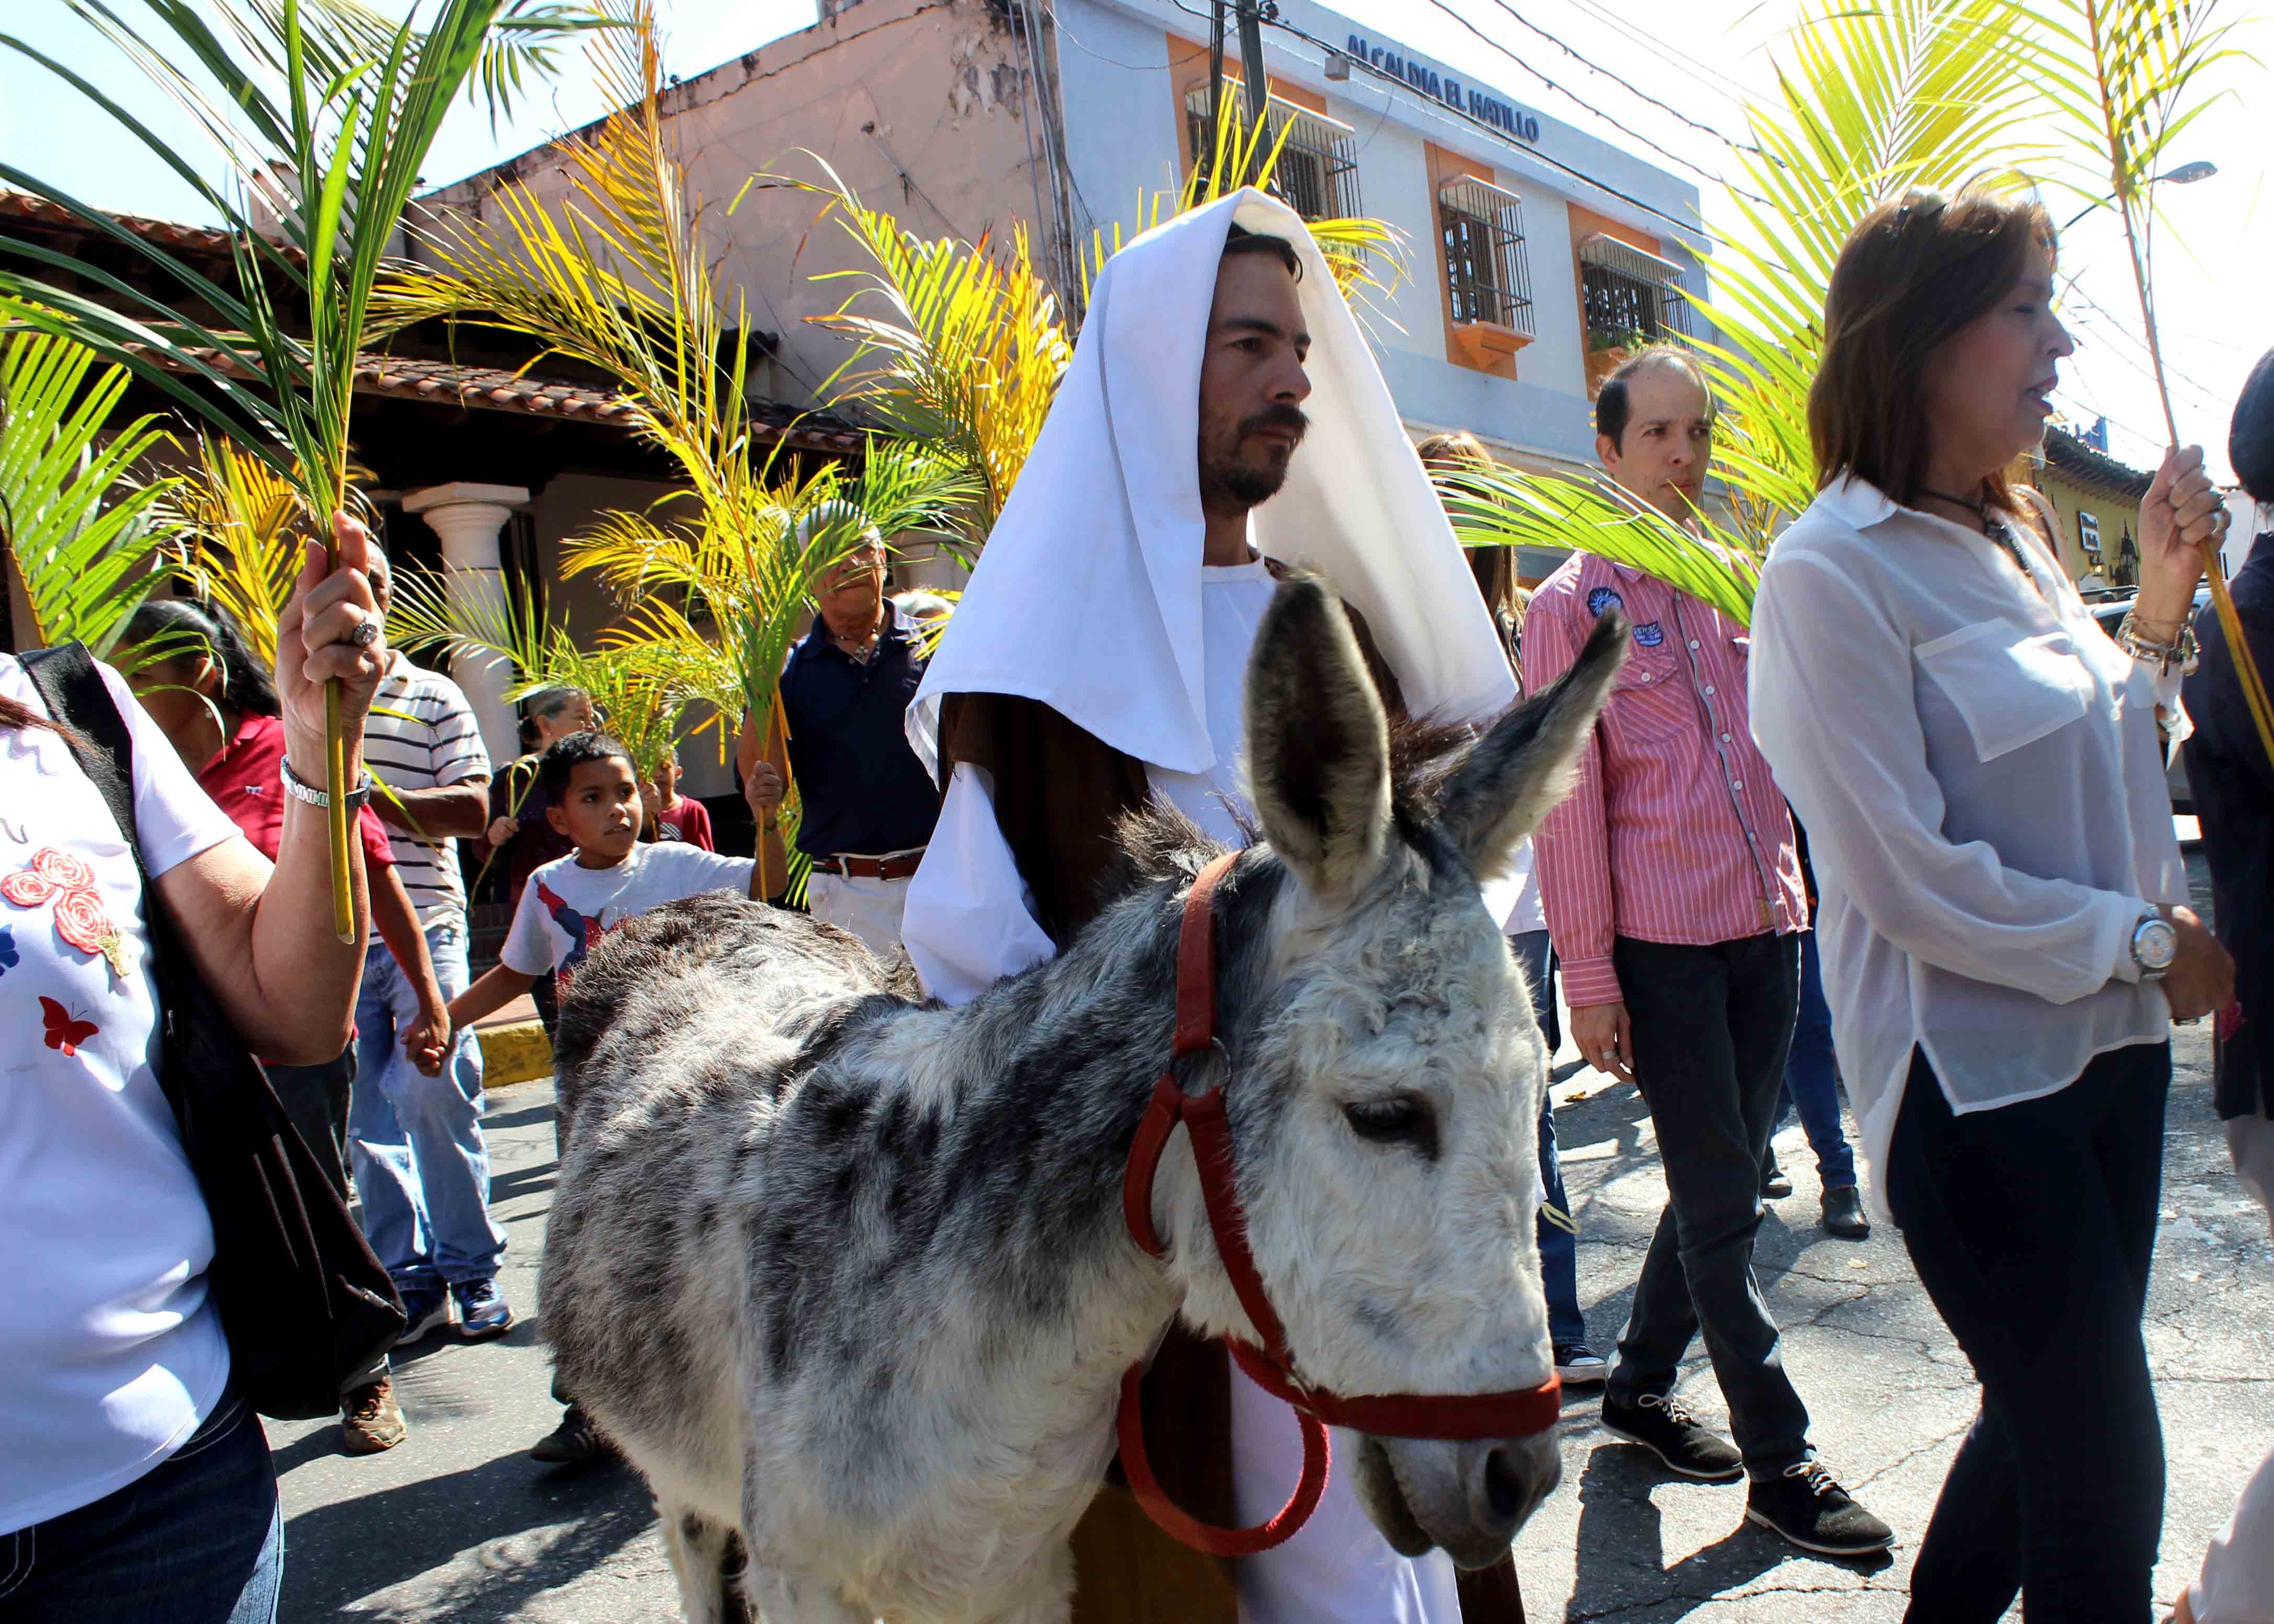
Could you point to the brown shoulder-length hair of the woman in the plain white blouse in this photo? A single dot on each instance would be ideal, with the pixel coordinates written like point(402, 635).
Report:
point(1911, 274)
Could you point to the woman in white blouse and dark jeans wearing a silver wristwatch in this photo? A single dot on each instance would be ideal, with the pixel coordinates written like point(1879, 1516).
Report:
point(2002, 929)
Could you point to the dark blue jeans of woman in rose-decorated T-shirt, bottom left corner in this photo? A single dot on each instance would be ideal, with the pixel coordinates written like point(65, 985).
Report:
point(194, 1541)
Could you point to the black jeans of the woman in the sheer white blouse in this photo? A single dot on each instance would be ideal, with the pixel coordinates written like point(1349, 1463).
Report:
point(2032, 1229)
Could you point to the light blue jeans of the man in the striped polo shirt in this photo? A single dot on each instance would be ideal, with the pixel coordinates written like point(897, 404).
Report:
point(422, 1166)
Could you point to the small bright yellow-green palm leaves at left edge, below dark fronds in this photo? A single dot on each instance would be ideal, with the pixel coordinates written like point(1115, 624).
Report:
point(85, 533)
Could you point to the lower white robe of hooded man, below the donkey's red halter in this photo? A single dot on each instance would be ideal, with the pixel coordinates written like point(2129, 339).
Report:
point(1338, 1568)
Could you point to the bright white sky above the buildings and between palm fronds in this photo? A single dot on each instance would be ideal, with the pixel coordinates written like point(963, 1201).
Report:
point(1698, 58)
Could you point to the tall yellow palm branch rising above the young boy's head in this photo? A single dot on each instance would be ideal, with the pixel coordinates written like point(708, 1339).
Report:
point(615, 276)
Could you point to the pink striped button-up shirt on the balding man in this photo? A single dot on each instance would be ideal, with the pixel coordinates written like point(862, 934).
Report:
point(1675, 831)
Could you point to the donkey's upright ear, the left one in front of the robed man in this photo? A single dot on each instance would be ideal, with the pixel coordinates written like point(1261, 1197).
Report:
point(1318, 743)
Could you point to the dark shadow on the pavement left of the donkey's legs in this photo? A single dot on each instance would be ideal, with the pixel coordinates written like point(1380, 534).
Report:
point(522, 1532)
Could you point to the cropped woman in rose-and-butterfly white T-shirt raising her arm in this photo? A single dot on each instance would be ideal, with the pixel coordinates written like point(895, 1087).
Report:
point(133, 1482)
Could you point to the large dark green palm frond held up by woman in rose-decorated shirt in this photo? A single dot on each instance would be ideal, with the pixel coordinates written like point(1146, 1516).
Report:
point(326, 110)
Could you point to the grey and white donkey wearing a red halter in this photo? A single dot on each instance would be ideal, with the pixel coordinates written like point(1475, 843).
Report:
point(847, 1275)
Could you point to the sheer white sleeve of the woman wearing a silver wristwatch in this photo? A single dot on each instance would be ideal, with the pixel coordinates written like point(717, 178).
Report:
point(1836, 718)
